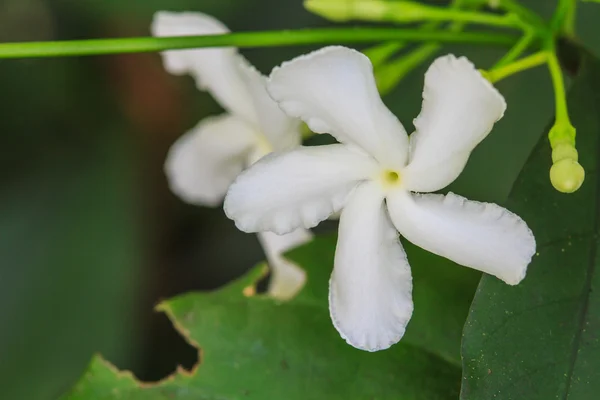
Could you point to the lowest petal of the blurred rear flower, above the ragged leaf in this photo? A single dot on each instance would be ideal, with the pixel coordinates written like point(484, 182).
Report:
point(286, 277)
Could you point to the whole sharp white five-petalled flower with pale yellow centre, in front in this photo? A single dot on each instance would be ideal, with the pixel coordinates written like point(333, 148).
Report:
point(371, 175)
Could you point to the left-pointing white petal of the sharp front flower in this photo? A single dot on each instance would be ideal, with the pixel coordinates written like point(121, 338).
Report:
point(299, 188)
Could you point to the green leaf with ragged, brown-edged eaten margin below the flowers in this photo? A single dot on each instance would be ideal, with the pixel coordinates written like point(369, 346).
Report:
point(255, 348)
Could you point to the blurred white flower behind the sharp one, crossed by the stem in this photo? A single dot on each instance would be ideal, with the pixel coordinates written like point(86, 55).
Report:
point(203, 162)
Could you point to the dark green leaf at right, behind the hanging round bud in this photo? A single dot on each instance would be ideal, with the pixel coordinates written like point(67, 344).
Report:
point(539, 340)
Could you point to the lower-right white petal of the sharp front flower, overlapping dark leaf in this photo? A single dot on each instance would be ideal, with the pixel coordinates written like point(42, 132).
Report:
point(483, 236)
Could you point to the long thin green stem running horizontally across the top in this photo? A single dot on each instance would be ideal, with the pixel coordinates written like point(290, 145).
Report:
point(245, 39)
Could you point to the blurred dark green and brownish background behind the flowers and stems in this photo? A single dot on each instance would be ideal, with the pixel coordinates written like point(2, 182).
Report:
point(91, 238)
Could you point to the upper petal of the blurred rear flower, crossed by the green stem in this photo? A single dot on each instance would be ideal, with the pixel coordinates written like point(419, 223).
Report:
point(216, 70)
